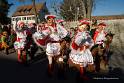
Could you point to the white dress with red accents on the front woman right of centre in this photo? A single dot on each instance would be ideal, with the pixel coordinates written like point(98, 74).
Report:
point(80, 54)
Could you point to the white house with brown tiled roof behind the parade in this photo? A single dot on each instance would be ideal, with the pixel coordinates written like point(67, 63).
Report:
point(26, 14)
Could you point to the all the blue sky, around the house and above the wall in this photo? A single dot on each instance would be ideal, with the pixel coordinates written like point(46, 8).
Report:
point(102, 7)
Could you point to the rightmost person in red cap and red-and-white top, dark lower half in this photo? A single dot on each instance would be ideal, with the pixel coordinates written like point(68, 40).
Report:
point(99, 40)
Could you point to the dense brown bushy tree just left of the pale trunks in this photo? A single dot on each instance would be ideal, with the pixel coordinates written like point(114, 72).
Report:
point(69, 9)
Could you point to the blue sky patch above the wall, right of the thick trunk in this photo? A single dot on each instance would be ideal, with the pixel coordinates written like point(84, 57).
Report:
point(109, 7)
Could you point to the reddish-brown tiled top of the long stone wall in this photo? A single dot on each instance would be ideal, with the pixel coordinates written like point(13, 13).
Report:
point(111, 17)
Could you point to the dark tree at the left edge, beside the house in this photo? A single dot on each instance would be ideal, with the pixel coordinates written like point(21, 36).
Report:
point(4, 9)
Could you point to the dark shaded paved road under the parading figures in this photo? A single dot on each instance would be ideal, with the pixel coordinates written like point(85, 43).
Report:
point(35, 72)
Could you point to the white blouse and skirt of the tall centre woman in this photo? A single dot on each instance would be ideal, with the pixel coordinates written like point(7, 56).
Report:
point(57, 33)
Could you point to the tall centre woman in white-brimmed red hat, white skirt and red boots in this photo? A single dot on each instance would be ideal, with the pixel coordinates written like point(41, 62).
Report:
point(56, 33)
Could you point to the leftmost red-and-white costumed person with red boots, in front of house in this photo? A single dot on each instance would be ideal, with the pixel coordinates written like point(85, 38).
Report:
point(20, 42)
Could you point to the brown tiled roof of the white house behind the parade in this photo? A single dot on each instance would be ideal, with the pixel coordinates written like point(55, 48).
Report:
point(27, 10)
